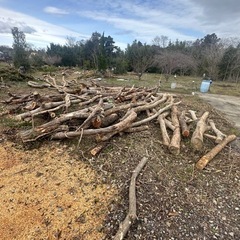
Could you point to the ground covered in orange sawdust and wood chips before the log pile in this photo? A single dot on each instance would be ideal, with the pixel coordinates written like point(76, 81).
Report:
point(56, 190)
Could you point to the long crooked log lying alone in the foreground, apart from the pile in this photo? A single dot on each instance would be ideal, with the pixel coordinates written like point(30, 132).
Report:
point(132, 213)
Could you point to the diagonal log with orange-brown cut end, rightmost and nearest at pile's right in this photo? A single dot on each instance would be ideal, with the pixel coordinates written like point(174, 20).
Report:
point(201, 164)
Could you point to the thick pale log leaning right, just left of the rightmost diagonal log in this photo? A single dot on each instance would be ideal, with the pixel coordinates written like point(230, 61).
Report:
point(197, 137)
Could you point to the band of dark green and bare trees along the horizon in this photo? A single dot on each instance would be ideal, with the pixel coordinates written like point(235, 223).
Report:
point(218, 59)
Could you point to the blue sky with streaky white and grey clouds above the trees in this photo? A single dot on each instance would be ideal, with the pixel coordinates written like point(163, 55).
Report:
point(46, 21)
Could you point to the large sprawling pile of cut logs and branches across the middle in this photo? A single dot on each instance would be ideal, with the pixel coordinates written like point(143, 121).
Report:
point(80, 109)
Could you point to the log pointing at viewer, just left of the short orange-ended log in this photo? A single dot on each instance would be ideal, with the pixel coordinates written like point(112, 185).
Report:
point(174, 146)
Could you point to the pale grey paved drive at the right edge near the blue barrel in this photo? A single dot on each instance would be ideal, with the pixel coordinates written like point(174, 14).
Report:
point(229, 105)
